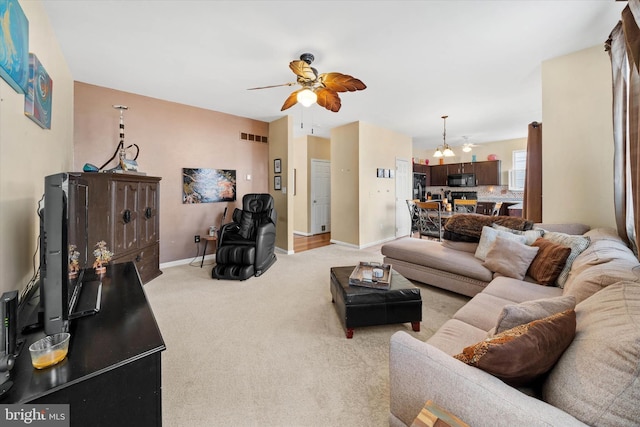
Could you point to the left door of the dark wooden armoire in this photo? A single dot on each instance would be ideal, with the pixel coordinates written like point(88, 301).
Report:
point(125, 215)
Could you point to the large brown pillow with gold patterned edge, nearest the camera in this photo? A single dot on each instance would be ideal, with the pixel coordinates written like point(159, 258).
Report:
point(519, 355)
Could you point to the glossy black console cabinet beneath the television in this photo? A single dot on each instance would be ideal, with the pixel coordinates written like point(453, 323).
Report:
point(112, 373)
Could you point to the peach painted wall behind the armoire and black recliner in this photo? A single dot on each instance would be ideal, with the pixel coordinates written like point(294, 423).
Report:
point(172, 136)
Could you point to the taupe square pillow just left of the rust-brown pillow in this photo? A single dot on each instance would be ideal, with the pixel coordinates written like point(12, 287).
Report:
point(510, 258)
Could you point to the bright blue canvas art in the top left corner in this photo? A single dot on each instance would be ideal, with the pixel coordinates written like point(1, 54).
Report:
point(14, 45)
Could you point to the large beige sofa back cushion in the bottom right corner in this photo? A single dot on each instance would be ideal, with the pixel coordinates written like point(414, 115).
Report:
point(597, 380)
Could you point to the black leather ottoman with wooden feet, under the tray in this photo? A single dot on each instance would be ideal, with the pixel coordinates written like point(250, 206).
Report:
point(360, 306)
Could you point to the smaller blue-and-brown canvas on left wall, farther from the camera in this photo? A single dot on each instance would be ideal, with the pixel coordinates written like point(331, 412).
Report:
point(37, 99)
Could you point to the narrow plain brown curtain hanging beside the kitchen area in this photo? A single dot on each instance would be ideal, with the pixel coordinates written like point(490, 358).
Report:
point(532, 202)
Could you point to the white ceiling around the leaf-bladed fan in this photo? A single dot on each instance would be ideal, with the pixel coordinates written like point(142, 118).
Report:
point(477, 61)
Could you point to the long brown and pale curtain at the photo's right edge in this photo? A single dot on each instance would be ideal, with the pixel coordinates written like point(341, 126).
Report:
point(624, 50)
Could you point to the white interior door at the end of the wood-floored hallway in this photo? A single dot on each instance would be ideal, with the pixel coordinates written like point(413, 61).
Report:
point(320, 196)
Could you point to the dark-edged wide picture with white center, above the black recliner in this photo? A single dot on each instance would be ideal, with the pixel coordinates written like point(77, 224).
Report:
point(208, 185)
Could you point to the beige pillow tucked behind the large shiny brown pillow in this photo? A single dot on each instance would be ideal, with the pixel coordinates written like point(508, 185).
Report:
point(513, 315)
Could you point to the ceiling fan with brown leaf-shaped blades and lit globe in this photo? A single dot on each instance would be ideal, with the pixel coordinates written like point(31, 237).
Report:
point(321, 88)
